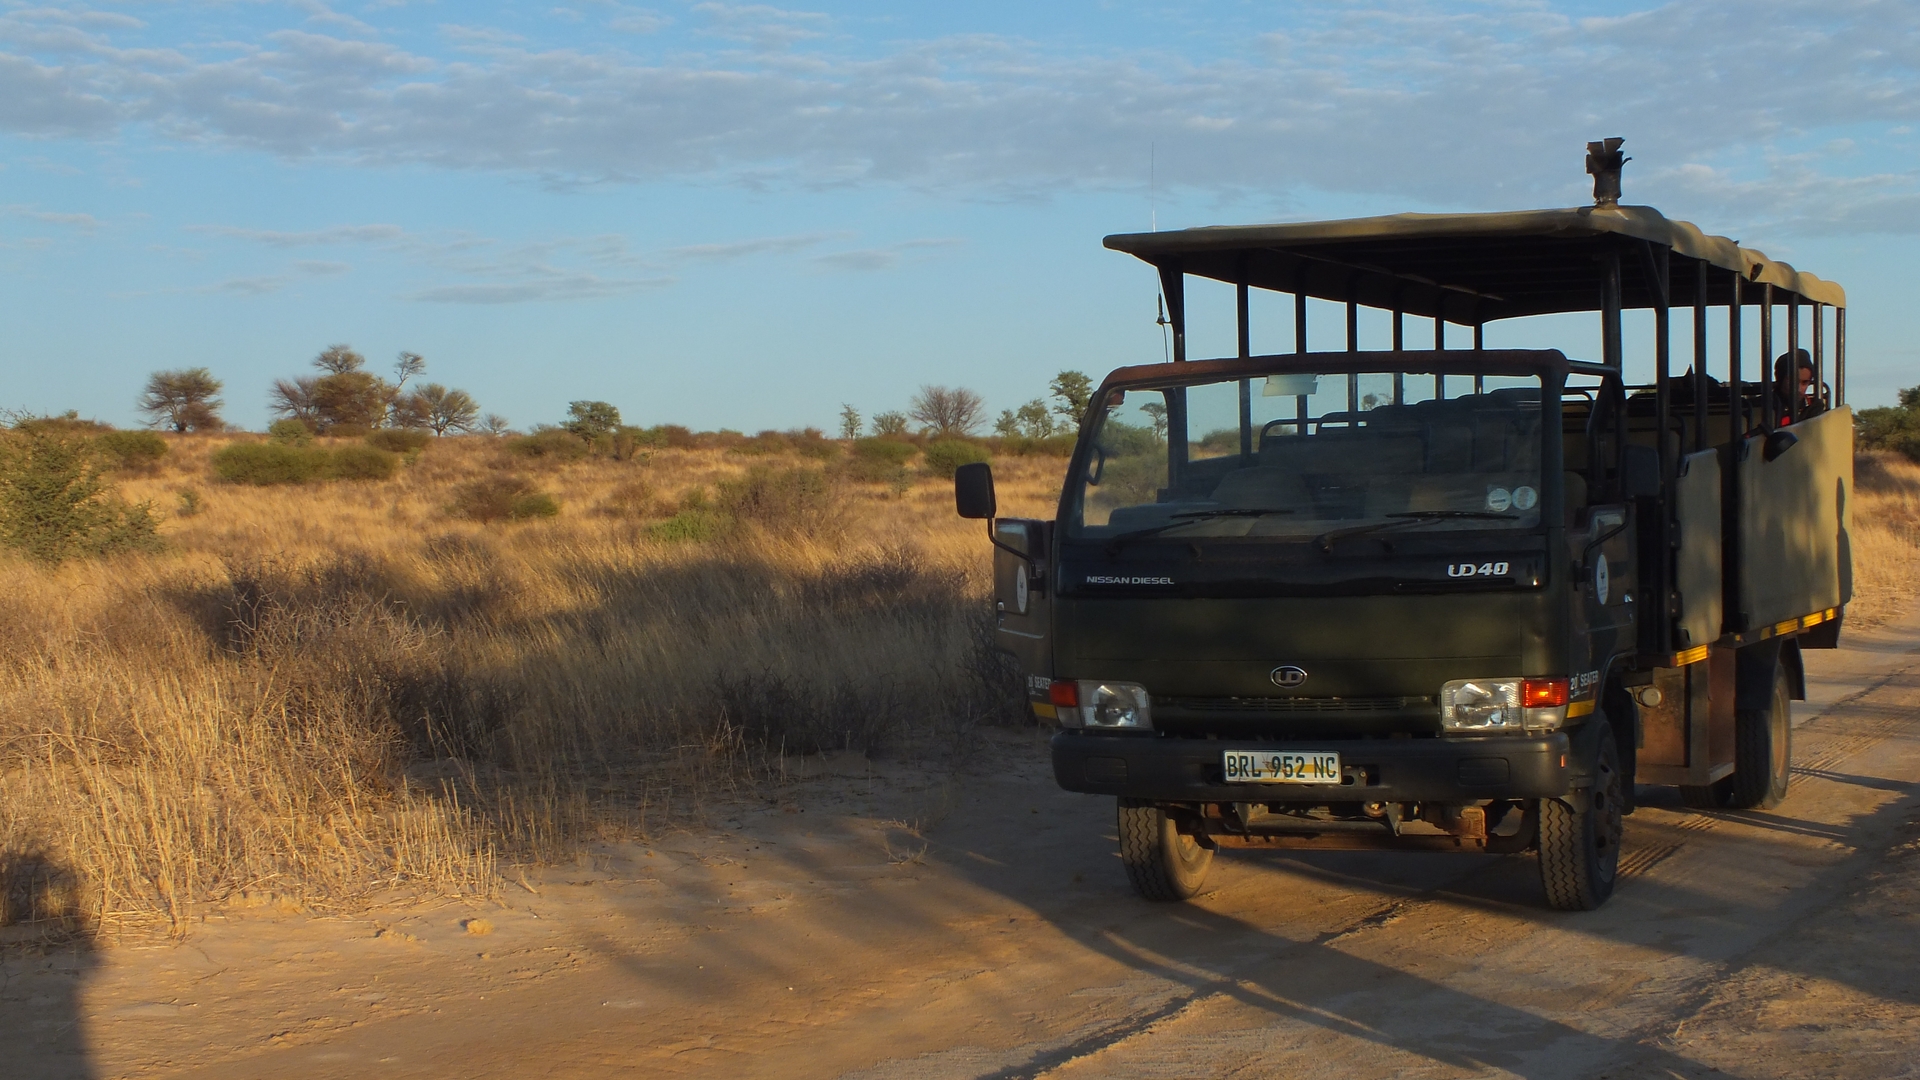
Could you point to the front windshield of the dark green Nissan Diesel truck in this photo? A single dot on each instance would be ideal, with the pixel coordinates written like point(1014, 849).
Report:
point(1303, 456)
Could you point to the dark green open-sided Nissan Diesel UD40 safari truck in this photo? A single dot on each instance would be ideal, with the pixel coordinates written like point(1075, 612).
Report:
point(1441, 597)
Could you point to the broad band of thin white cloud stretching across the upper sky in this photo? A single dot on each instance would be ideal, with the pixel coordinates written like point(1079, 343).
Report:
point(1426, 101)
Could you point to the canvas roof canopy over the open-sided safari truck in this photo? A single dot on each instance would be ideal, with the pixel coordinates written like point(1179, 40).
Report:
point(1474, 268)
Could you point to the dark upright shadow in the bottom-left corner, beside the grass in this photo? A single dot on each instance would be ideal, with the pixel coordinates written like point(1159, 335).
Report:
point(45, 960)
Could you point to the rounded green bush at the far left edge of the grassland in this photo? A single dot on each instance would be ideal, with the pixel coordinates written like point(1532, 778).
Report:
point(55, 503)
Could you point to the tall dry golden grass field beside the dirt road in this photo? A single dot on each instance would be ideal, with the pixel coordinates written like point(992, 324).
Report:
point(329, 691)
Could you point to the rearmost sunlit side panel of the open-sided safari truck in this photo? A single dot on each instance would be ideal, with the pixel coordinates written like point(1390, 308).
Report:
point(1796, 522)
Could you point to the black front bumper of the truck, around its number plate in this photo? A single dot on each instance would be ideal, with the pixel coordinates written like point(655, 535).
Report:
point(1378, 770)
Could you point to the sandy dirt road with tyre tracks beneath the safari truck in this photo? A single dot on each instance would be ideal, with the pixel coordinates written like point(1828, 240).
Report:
point(932, 927)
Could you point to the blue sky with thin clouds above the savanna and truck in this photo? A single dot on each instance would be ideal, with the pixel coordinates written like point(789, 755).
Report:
point(744, 216)
